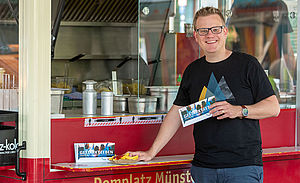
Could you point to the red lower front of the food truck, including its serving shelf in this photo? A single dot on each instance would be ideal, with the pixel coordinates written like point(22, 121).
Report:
point(281, 158)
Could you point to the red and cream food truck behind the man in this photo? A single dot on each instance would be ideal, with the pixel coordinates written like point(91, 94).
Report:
point(59, 57)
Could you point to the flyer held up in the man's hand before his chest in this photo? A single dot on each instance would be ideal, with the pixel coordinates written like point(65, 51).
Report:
point(196, 112)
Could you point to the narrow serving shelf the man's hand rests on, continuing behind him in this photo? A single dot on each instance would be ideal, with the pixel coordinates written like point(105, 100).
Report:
point(270, 154)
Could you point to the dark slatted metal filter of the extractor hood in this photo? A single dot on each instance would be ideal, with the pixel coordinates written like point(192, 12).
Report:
point(112, 11)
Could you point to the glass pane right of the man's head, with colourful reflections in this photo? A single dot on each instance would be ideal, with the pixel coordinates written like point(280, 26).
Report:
point(268, 31)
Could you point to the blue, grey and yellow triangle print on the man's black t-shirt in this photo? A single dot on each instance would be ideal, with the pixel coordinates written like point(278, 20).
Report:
point(220, 90)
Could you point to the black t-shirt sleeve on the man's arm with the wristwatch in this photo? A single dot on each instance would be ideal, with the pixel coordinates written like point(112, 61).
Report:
point(260, 84)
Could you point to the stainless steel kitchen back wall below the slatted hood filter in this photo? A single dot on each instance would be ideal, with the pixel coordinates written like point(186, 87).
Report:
point(104, 48)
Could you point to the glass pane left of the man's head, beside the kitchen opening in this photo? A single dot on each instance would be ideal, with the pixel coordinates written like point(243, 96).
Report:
point(165, 37)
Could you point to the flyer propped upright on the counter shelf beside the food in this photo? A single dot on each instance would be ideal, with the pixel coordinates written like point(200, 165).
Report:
point(94, 152)
